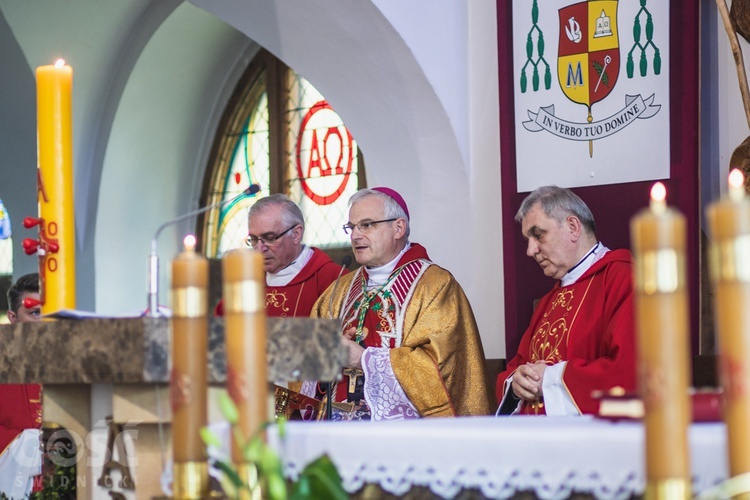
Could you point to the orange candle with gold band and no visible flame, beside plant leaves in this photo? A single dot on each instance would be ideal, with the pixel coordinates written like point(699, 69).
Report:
point(245, 329)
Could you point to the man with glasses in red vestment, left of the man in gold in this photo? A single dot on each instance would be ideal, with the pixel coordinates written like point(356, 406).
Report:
point(296, 274)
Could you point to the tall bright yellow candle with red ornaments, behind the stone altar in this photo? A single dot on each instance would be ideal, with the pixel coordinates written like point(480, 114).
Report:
point(55, 187)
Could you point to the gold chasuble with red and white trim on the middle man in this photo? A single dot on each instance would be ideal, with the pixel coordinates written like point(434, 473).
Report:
point(422, 315)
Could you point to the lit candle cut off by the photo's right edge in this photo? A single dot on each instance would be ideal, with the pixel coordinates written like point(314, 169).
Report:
point(729, 230)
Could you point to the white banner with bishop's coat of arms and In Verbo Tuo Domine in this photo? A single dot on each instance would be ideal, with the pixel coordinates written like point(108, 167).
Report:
point(591, 92)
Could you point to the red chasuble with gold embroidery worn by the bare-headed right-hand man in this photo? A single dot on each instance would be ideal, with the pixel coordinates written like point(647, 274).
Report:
point(589, 324)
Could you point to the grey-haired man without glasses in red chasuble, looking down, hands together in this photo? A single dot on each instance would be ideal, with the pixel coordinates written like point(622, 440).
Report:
point(582, 335)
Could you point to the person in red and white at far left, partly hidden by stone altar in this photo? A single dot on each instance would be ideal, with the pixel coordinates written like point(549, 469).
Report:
point(21, 406)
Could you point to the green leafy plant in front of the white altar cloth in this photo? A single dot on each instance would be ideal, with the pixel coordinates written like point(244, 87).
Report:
point(319, 479)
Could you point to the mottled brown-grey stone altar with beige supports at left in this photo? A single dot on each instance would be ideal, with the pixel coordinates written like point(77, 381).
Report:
point(92, 369)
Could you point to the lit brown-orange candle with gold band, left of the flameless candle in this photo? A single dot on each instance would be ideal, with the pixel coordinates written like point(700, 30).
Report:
point(189, 378)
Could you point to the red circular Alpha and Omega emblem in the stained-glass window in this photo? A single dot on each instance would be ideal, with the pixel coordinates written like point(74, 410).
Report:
point(324, 154)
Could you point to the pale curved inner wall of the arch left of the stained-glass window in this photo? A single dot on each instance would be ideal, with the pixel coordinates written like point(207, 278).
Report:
point(154, 161)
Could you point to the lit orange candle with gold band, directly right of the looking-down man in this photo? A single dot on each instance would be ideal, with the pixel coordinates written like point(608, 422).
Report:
point(658, 238)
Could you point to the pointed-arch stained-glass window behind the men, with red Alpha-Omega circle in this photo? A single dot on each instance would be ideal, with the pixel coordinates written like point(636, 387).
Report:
point(279, 132)
